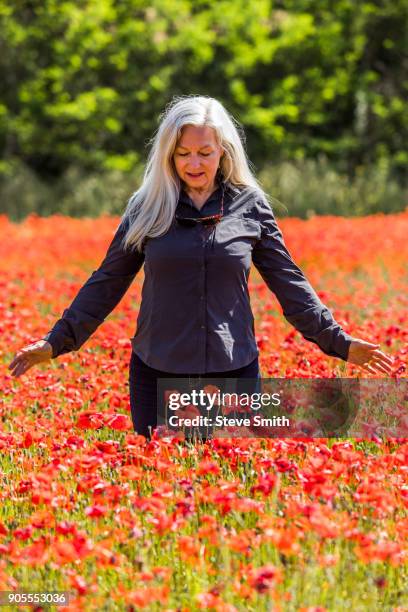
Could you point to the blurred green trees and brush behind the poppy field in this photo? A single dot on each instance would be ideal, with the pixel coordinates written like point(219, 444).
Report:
point(319, 86)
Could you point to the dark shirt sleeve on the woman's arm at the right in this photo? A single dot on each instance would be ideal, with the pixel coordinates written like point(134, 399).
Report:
point(300, 304)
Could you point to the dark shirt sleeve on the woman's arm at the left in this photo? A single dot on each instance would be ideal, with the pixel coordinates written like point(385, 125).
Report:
point(97, 297)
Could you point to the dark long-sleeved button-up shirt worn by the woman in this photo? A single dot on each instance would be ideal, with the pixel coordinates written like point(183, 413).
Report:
point(195, 314)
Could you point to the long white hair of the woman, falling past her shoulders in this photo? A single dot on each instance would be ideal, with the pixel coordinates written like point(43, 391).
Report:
point(151, 209)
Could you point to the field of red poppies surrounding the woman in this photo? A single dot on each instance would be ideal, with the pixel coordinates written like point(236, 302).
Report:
point(89, 507)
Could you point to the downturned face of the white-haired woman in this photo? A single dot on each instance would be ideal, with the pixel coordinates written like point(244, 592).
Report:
point(197, 157)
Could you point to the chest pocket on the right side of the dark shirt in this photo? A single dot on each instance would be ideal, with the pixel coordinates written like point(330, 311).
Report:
point(236, 236)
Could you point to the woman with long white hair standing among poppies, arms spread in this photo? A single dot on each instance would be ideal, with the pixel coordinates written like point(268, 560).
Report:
point(196, 223)
